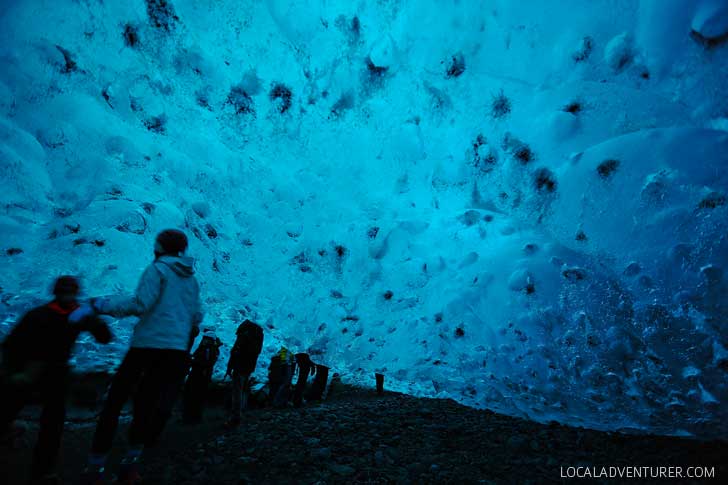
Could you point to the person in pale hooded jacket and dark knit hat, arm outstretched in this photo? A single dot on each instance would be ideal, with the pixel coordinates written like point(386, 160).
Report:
point(167, 302)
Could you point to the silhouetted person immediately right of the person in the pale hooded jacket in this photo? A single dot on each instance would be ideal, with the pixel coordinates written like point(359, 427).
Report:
point(202, 366)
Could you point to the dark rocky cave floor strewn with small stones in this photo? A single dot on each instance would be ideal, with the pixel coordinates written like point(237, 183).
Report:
point(360, 438)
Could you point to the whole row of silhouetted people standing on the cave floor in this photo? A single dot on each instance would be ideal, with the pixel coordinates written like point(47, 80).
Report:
point(36, 353)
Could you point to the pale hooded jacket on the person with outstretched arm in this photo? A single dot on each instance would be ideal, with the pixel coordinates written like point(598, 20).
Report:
point(167, 302)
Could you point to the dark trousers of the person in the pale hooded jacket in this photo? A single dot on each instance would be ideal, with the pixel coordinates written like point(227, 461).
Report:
point(157, 375)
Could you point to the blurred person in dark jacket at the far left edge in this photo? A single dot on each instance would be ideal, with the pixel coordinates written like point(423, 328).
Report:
point(35, 357)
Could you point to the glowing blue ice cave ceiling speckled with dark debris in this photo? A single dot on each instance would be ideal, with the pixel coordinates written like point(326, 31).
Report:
point(517, 205)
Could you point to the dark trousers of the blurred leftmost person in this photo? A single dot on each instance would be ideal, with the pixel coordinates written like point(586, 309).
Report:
point(52, 387)
